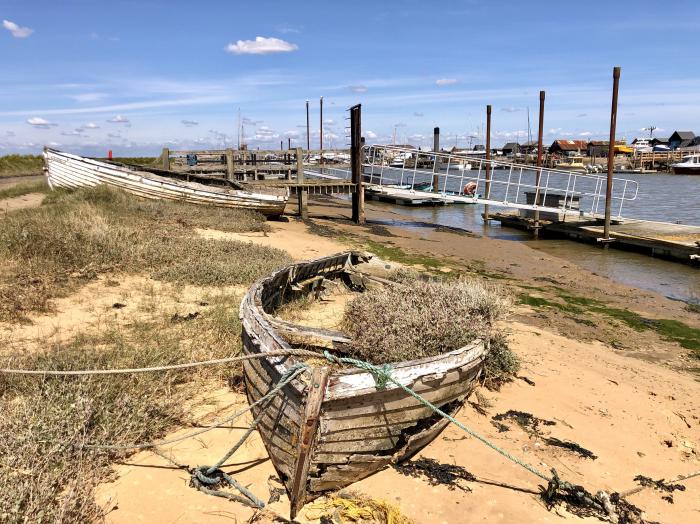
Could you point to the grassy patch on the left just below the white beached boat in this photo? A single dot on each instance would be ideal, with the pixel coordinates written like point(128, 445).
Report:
point(47, 251)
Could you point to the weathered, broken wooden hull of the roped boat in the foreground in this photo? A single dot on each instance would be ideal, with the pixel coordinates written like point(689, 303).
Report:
point(331, 428)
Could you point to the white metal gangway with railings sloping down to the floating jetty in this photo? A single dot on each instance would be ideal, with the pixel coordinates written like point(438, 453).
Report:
point(494, 182)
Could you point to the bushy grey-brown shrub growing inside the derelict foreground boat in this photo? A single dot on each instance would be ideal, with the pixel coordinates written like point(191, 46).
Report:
point(417, 318)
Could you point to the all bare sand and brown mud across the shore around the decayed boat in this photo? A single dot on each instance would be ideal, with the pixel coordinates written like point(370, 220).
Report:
point(634, 405)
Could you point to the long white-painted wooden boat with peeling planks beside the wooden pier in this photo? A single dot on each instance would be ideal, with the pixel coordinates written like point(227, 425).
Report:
point(72, 171)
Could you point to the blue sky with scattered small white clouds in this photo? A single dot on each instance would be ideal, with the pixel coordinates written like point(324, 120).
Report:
point(136, 76)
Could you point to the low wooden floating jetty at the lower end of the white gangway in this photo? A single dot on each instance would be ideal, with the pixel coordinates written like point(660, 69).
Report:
point(679, 242)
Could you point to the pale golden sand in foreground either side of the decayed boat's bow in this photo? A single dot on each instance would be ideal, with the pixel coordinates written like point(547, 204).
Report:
point(621, 409)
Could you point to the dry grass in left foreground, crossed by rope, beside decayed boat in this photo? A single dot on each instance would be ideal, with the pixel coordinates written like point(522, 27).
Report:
point(45, 472)
